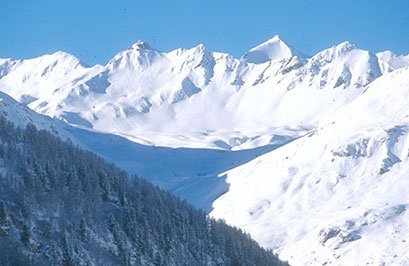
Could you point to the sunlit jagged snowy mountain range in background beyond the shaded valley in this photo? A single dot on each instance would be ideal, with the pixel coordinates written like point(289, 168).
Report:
point(195, 97)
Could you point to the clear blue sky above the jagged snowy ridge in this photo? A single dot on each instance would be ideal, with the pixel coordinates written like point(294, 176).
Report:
point(95, 30)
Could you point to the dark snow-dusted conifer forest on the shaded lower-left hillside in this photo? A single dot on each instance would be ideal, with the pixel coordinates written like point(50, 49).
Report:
point(60, 205)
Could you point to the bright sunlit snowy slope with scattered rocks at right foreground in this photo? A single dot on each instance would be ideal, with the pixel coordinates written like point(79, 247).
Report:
point(338, 195)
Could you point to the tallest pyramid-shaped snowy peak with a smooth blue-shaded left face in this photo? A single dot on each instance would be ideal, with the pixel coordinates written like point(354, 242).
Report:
point(272, 49)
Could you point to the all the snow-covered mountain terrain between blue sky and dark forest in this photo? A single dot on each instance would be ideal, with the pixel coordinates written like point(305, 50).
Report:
point(331, 188)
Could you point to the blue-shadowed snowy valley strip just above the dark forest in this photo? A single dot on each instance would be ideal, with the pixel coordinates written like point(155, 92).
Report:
point(194, 174)
